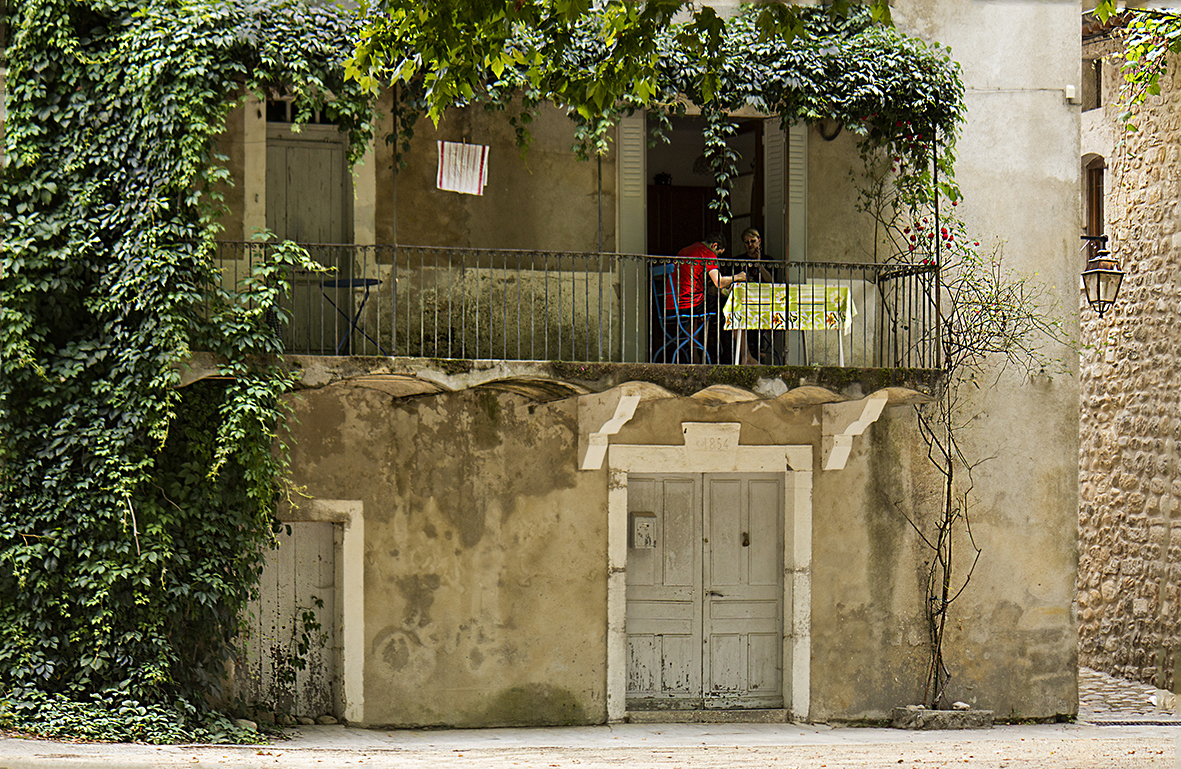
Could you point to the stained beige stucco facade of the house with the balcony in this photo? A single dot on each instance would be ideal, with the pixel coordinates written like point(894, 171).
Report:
point(506, 535)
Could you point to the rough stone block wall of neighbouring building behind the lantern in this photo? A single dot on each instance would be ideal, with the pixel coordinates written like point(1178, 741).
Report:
point(1130, 559)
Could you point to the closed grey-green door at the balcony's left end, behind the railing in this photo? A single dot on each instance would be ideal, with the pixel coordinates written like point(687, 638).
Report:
point(309, 203)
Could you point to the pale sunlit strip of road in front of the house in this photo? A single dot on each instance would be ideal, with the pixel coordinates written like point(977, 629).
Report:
point(643, 747)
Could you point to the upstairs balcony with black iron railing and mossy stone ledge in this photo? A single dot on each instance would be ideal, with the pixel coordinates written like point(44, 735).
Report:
point(550, 316)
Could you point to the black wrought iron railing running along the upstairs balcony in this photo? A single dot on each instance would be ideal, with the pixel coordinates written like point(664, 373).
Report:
point(531, 305)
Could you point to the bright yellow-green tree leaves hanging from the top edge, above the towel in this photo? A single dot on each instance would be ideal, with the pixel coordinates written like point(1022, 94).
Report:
point(451, 48)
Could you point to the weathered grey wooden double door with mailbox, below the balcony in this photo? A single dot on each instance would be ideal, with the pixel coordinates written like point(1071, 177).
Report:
point(706, 591)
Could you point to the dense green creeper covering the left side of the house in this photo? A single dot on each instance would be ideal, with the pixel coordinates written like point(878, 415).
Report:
point(135, 516)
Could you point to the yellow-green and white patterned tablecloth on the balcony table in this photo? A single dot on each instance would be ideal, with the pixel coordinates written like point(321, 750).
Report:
point(800, 308)
